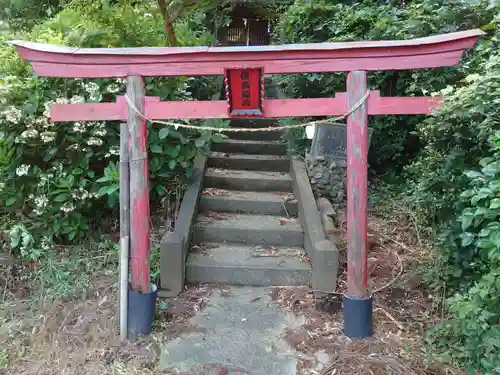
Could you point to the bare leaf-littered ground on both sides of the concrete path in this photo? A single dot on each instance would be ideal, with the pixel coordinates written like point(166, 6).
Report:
point(79, 335)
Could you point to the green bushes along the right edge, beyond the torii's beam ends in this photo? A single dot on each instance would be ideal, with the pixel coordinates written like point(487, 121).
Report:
point(455, 185)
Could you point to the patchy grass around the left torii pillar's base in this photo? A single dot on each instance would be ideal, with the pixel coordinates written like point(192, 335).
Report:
point(58, 315)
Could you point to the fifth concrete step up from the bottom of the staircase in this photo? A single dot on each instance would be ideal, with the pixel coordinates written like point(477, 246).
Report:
point(273, 163)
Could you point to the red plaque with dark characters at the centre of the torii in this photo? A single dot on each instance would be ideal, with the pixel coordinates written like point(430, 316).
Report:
point(245, 92)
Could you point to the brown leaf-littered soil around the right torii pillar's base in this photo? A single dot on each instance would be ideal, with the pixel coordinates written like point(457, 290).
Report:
point(403, 308)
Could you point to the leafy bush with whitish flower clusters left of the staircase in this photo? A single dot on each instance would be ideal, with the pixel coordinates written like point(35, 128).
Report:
point(54, 175)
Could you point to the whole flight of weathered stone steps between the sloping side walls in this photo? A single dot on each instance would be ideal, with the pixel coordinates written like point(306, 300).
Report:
point(247, 232)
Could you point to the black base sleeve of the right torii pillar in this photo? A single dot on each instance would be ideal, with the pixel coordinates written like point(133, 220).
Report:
point(358, 317)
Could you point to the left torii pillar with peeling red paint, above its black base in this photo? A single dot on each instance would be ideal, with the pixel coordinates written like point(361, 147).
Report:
point(139, 187)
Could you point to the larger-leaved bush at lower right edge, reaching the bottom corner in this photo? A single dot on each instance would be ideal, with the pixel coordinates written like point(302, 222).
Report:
point(472, 330)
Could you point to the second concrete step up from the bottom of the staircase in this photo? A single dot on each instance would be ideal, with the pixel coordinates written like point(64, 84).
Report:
point(247, 229)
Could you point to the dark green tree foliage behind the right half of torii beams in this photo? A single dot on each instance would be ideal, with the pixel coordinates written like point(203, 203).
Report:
point(393, 143)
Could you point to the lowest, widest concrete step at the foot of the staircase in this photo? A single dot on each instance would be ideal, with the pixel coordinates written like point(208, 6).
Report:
point(223, 263)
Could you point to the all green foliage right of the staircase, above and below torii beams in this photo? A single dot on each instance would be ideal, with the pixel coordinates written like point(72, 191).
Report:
point(446, 186)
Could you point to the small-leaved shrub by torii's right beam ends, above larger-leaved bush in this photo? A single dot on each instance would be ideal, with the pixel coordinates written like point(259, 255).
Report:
point(457, 136)
